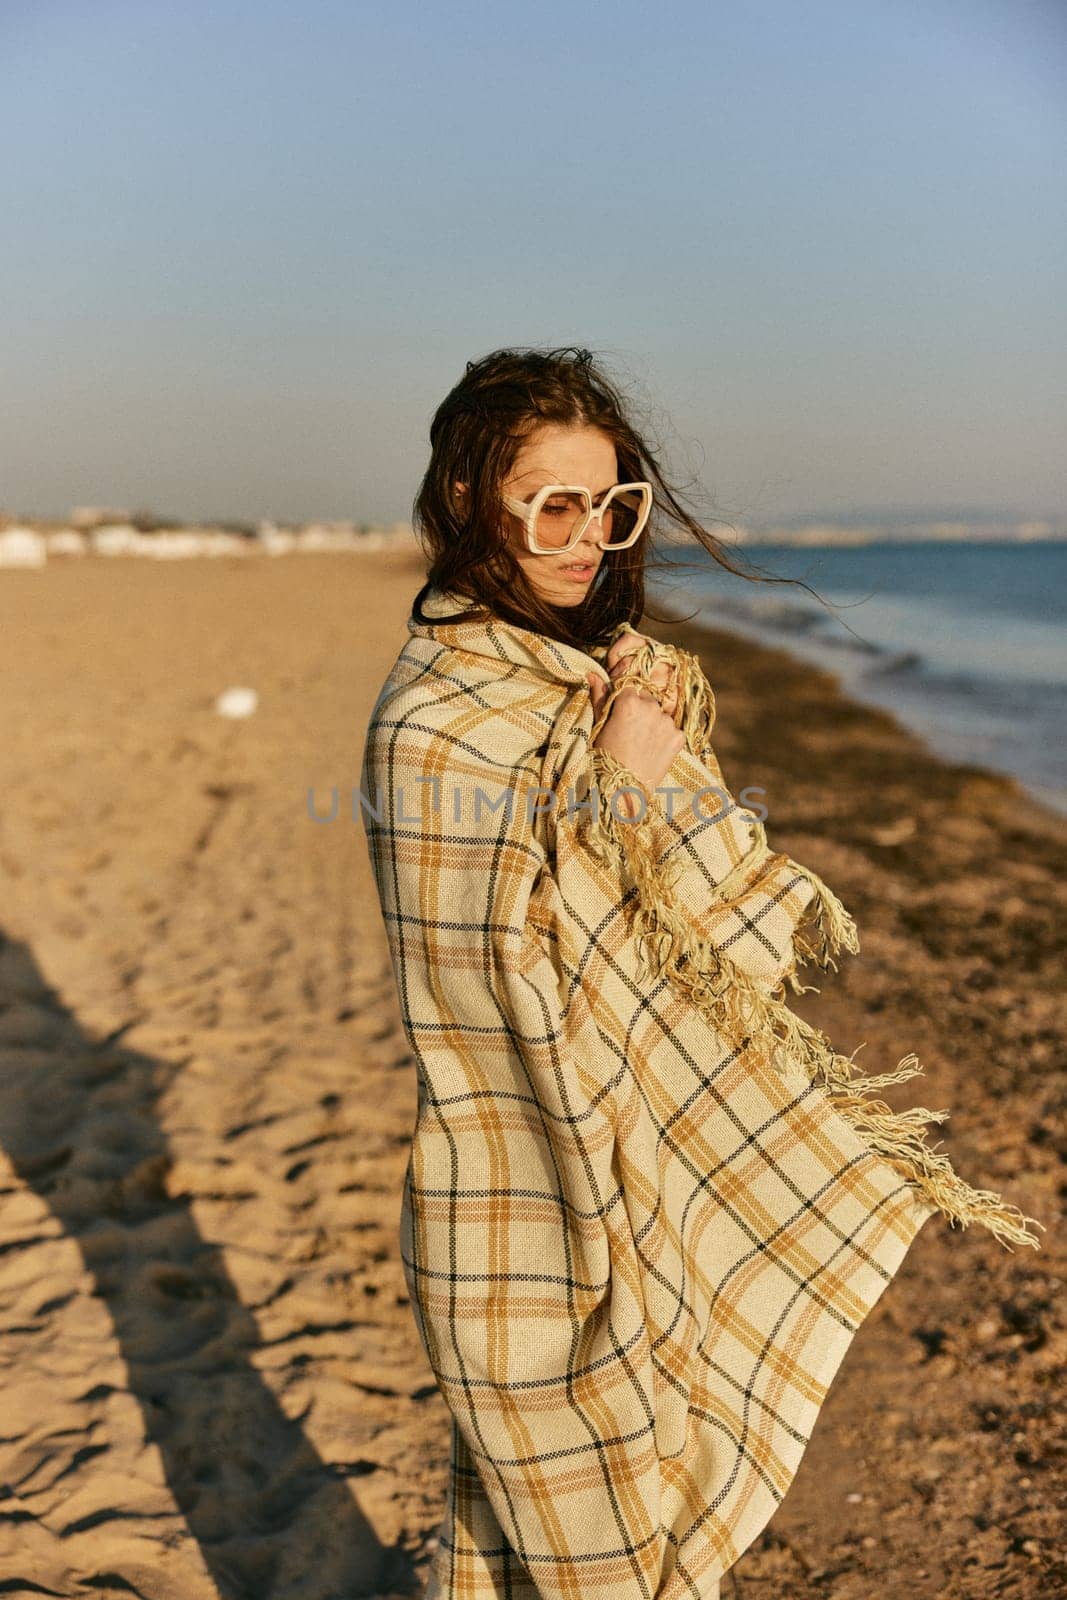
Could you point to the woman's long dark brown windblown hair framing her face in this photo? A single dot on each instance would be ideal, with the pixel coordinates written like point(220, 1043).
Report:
point(476, 436)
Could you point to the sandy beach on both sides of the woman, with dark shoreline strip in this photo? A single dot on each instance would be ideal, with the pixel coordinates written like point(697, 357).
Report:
point(210, 1377)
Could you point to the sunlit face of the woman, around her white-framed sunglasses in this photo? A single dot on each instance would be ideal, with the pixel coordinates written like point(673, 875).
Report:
point(562, 455)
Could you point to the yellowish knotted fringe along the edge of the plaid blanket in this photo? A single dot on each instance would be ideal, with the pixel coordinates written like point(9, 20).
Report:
point(673, 948)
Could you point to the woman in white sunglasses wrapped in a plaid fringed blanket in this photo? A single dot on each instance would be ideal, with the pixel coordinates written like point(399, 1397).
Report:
point(647, 1207)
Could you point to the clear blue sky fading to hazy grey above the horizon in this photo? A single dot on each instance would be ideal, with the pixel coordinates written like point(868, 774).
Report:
point(247, 249)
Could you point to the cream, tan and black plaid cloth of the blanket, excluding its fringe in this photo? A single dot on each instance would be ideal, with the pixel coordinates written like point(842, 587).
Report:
point(637, 1252)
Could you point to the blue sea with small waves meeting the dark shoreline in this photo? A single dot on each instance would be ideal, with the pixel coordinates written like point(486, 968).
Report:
point(964, 641)
